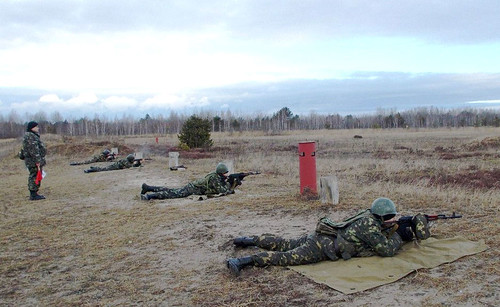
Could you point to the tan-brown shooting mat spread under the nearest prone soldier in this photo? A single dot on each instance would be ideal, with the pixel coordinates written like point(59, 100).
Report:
point(359, 274)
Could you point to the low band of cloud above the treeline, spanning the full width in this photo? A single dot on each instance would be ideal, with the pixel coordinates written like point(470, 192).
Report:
point(361, 92)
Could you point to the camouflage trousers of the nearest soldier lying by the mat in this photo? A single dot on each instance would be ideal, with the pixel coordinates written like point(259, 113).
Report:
point(304, 250)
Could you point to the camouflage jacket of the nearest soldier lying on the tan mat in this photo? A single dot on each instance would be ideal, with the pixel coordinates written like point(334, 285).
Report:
point(365, 237)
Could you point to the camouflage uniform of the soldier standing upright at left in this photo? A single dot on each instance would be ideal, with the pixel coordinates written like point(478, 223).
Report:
point(34, 152)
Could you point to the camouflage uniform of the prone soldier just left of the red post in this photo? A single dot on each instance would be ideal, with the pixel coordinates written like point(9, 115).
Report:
point(211, 184)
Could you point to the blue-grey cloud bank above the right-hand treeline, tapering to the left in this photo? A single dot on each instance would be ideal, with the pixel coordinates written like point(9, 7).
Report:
point(359, 92)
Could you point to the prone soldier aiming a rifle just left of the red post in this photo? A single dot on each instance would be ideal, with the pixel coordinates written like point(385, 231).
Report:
point(212, 184)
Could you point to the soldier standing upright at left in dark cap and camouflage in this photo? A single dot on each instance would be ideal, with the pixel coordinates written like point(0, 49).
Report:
point(34, 158)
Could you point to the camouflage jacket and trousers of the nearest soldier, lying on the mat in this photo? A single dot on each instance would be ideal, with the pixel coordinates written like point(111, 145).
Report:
point(363, 237)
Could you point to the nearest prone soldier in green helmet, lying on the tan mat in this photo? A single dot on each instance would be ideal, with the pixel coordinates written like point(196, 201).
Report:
point(362, 235)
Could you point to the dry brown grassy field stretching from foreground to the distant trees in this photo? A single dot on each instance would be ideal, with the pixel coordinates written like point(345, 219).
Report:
point(94, 242)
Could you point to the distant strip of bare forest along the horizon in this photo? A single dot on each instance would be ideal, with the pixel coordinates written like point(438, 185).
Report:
point(283, 120)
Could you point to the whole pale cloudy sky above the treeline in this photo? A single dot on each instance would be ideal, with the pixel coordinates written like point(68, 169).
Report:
point(152, 56)
